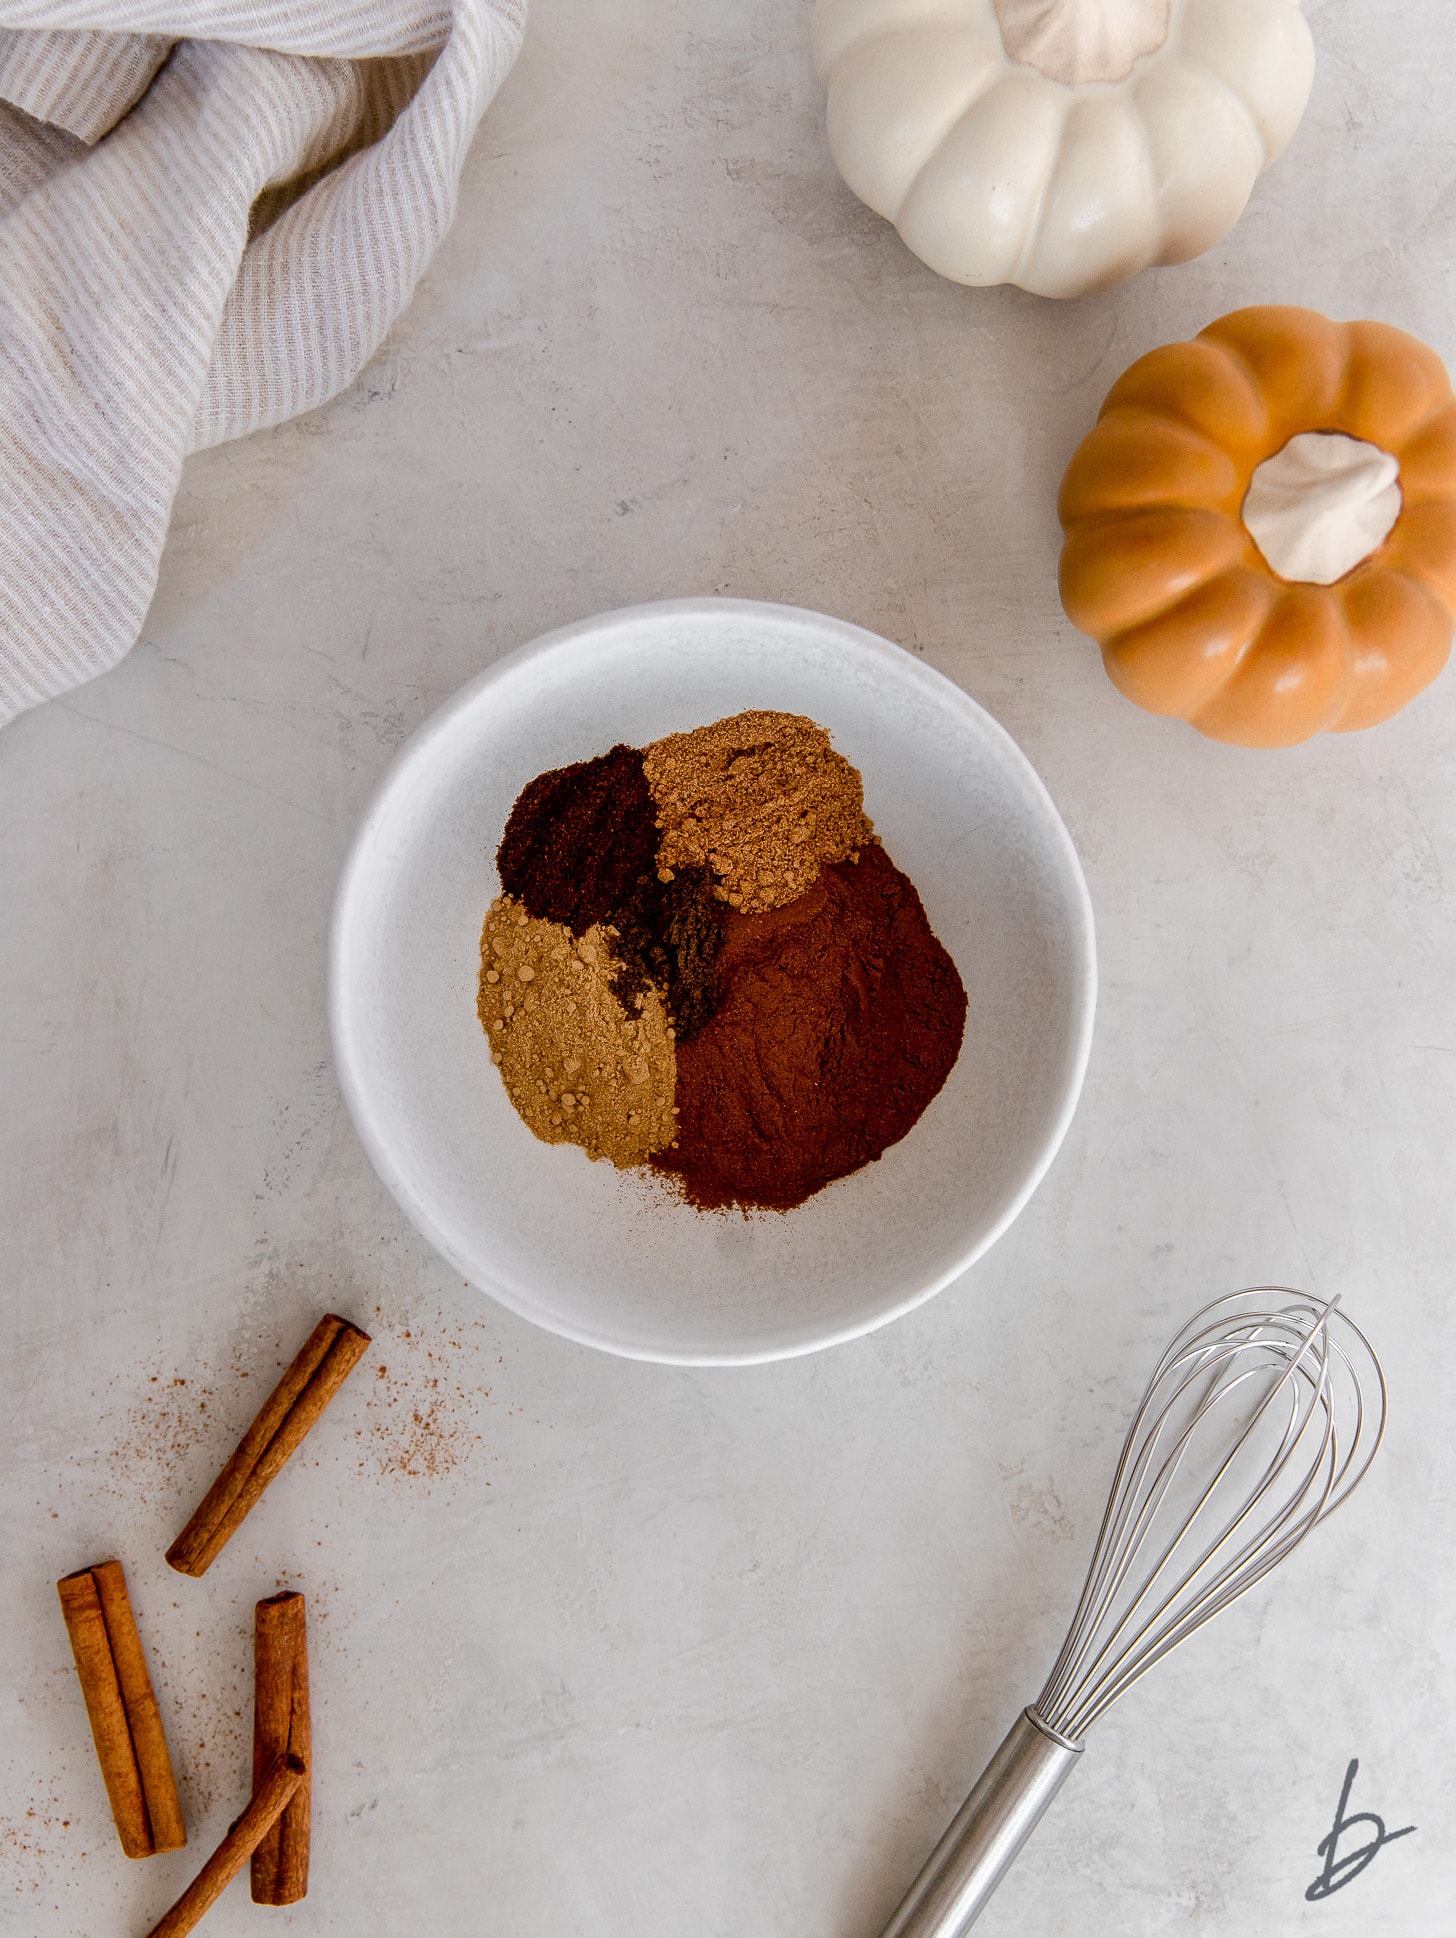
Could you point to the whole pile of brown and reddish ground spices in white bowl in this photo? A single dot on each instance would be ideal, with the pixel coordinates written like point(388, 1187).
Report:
point(705, 960)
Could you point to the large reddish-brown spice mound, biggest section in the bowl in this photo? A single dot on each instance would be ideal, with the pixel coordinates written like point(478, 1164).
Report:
point(840, 1018)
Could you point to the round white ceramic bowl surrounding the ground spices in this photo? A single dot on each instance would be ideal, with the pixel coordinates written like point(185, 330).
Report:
point(602, 1255)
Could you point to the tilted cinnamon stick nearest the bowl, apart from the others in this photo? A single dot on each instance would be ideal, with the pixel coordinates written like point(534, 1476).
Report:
point(292, 1410)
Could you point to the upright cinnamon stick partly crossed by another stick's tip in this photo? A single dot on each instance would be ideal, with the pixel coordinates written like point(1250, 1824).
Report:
point(280, 1724)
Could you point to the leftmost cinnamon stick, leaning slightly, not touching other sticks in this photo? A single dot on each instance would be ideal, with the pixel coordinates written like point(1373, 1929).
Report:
point(123, 1710)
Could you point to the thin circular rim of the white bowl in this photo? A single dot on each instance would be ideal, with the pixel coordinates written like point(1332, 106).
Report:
point(416, 751)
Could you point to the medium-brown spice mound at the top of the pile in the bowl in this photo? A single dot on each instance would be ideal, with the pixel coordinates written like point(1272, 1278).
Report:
point(761, 799)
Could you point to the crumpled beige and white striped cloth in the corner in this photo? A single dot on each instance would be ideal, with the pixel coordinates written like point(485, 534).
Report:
point(210, 216)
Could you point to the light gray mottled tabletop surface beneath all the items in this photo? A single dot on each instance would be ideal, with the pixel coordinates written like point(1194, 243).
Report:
point(608, 1648)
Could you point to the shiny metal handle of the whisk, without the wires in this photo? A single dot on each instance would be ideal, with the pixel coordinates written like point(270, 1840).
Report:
point(988, 1832)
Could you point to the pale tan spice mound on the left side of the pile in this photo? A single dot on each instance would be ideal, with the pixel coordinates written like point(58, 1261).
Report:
point(577, 1065)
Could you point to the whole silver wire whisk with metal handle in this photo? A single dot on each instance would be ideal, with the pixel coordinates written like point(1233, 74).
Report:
point(1263, 1416)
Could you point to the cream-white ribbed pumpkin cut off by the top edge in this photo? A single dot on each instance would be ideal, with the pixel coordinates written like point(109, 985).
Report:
point(1060, 144)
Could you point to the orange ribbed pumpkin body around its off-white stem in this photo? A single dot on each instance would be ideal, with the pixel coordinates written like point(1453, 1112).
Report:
point(1160, 569)
